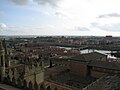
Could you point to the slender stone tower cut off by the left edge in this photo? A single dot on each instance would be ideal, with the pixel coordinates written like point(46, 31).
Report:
point(2, 62)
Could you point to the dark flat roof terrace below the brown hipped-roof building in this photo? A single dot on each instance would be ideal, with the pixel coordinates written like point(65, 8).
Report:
point(73, 80)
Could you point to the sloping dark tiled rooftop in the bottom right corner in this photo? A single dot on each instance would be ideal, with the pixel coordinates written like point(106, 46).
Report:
point(108, 82)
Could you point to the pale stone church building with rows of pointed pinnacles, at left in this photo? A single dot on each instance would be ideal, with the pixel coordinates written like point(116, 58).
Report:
point(22, 75)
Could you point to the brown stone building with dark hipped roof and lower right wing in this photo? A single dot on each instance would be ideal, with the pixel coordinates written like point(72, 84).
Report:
point(93, 64)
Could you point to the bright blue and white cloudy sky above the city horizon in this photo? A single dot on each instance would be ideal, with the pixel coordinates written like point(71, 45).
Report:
point(60, 17)
